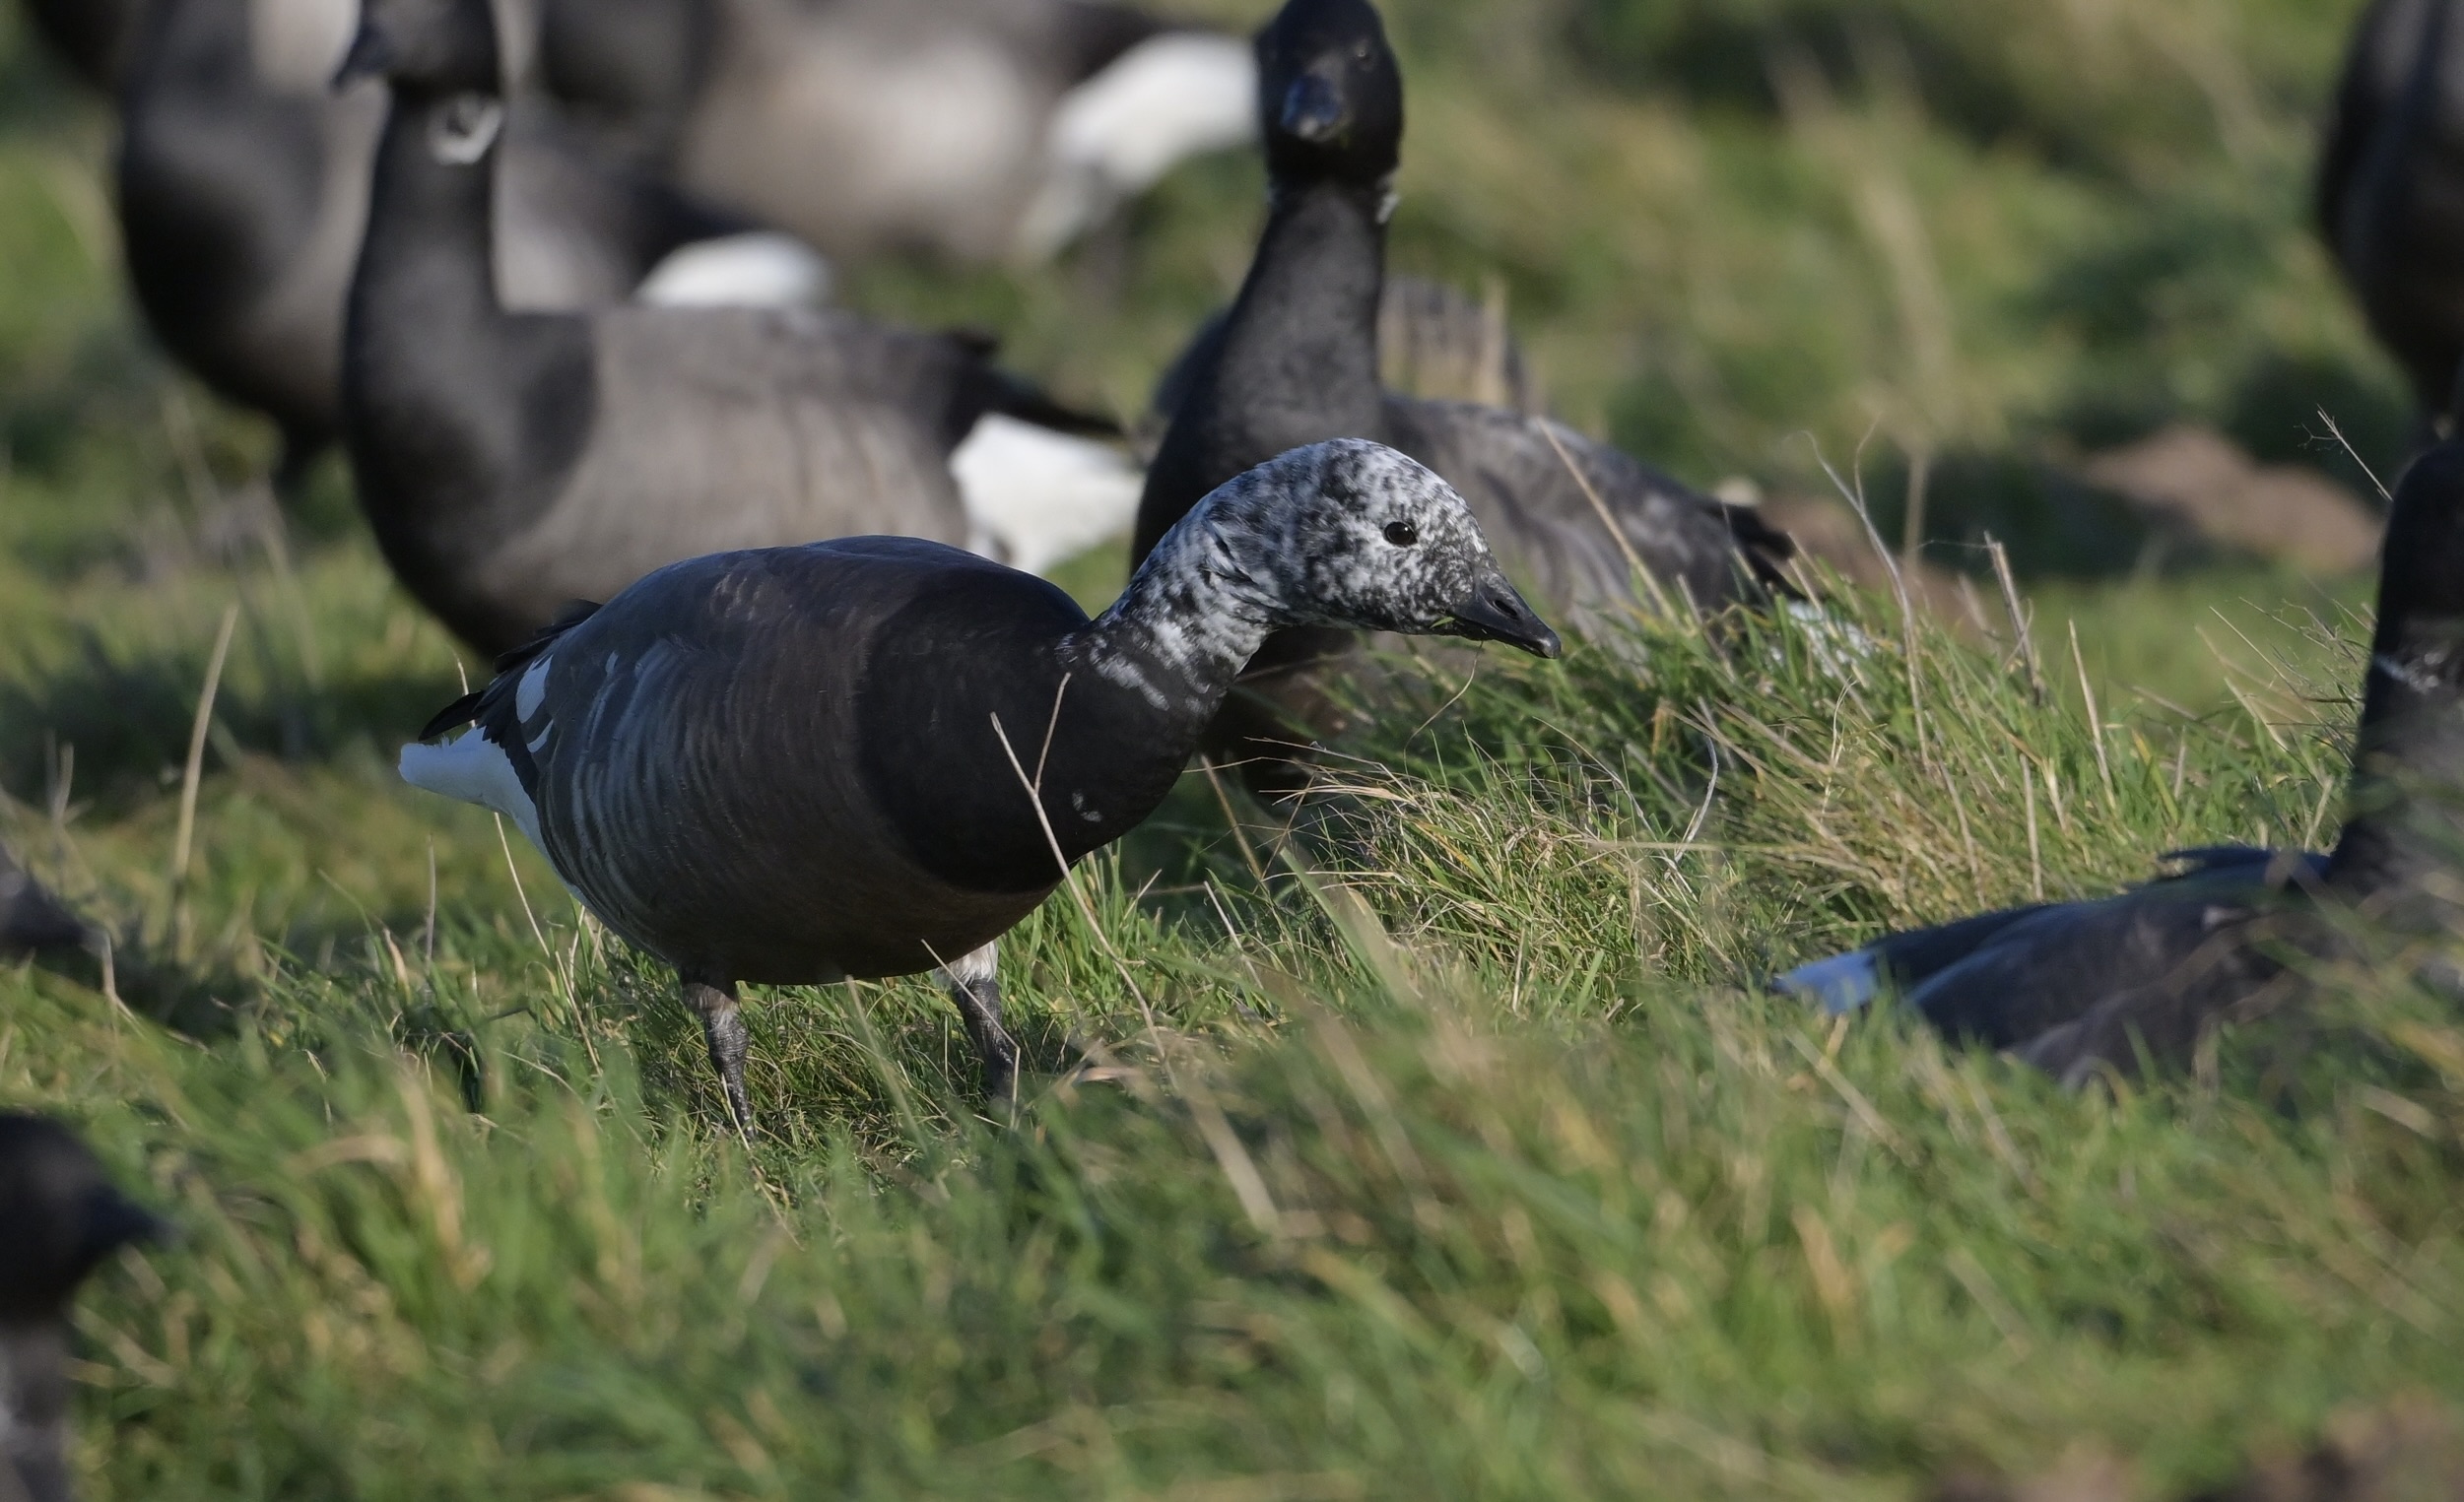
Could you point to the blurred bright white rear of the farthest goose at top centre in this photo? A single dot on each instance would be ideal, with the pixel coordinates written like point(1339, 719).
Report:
point(1120, 132)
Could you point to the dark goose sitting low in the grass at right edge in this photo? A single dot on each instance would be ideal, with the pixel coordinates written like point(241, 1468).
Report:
point(2088, 984)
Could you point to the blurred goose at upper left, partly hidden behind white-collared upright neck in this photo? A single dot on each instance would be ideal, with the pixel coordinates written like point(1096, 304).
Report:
point(243, 193)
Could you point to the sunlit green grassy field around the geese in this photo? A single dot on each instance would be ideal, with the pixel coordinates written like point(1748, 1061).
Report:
point(1440, 1144)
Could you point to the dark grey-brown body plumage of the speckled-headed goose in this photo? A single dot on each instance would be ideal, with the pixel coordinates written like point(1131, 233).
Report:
point(731, 678)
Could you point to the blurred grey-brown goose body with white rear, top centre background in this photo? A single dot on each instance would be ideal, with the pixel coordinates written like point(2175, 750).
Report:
point(975, 129)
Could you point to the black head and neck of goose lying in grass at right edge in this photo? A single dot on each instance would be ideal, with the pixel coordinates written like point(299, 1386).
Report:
point(2404, 841)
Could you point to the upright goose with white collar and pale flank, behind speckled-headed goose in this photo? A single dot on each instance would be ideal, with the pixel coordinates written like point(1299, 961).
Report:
point(519, 462)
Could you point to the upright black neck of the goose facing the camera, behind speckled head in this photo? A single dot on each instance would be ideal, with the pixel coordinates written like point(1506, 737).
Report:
point(1297, 358)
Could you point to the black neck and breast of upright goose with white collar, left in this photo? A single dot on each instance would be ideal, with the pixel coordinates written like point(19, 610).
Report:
point(462, 417)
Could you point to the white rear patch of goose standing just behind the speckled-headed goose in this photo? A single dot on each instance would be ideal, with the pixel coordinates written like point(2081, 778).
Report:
point(1039, 496)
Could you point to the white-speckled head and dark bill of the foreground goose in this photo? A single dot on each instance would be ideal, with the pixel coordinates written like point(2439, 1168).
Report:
point(1352, 533)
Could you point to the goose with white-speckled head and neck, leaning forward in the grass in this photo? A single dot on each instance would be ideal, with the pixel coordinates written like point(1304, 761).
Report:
point(782, 767)
